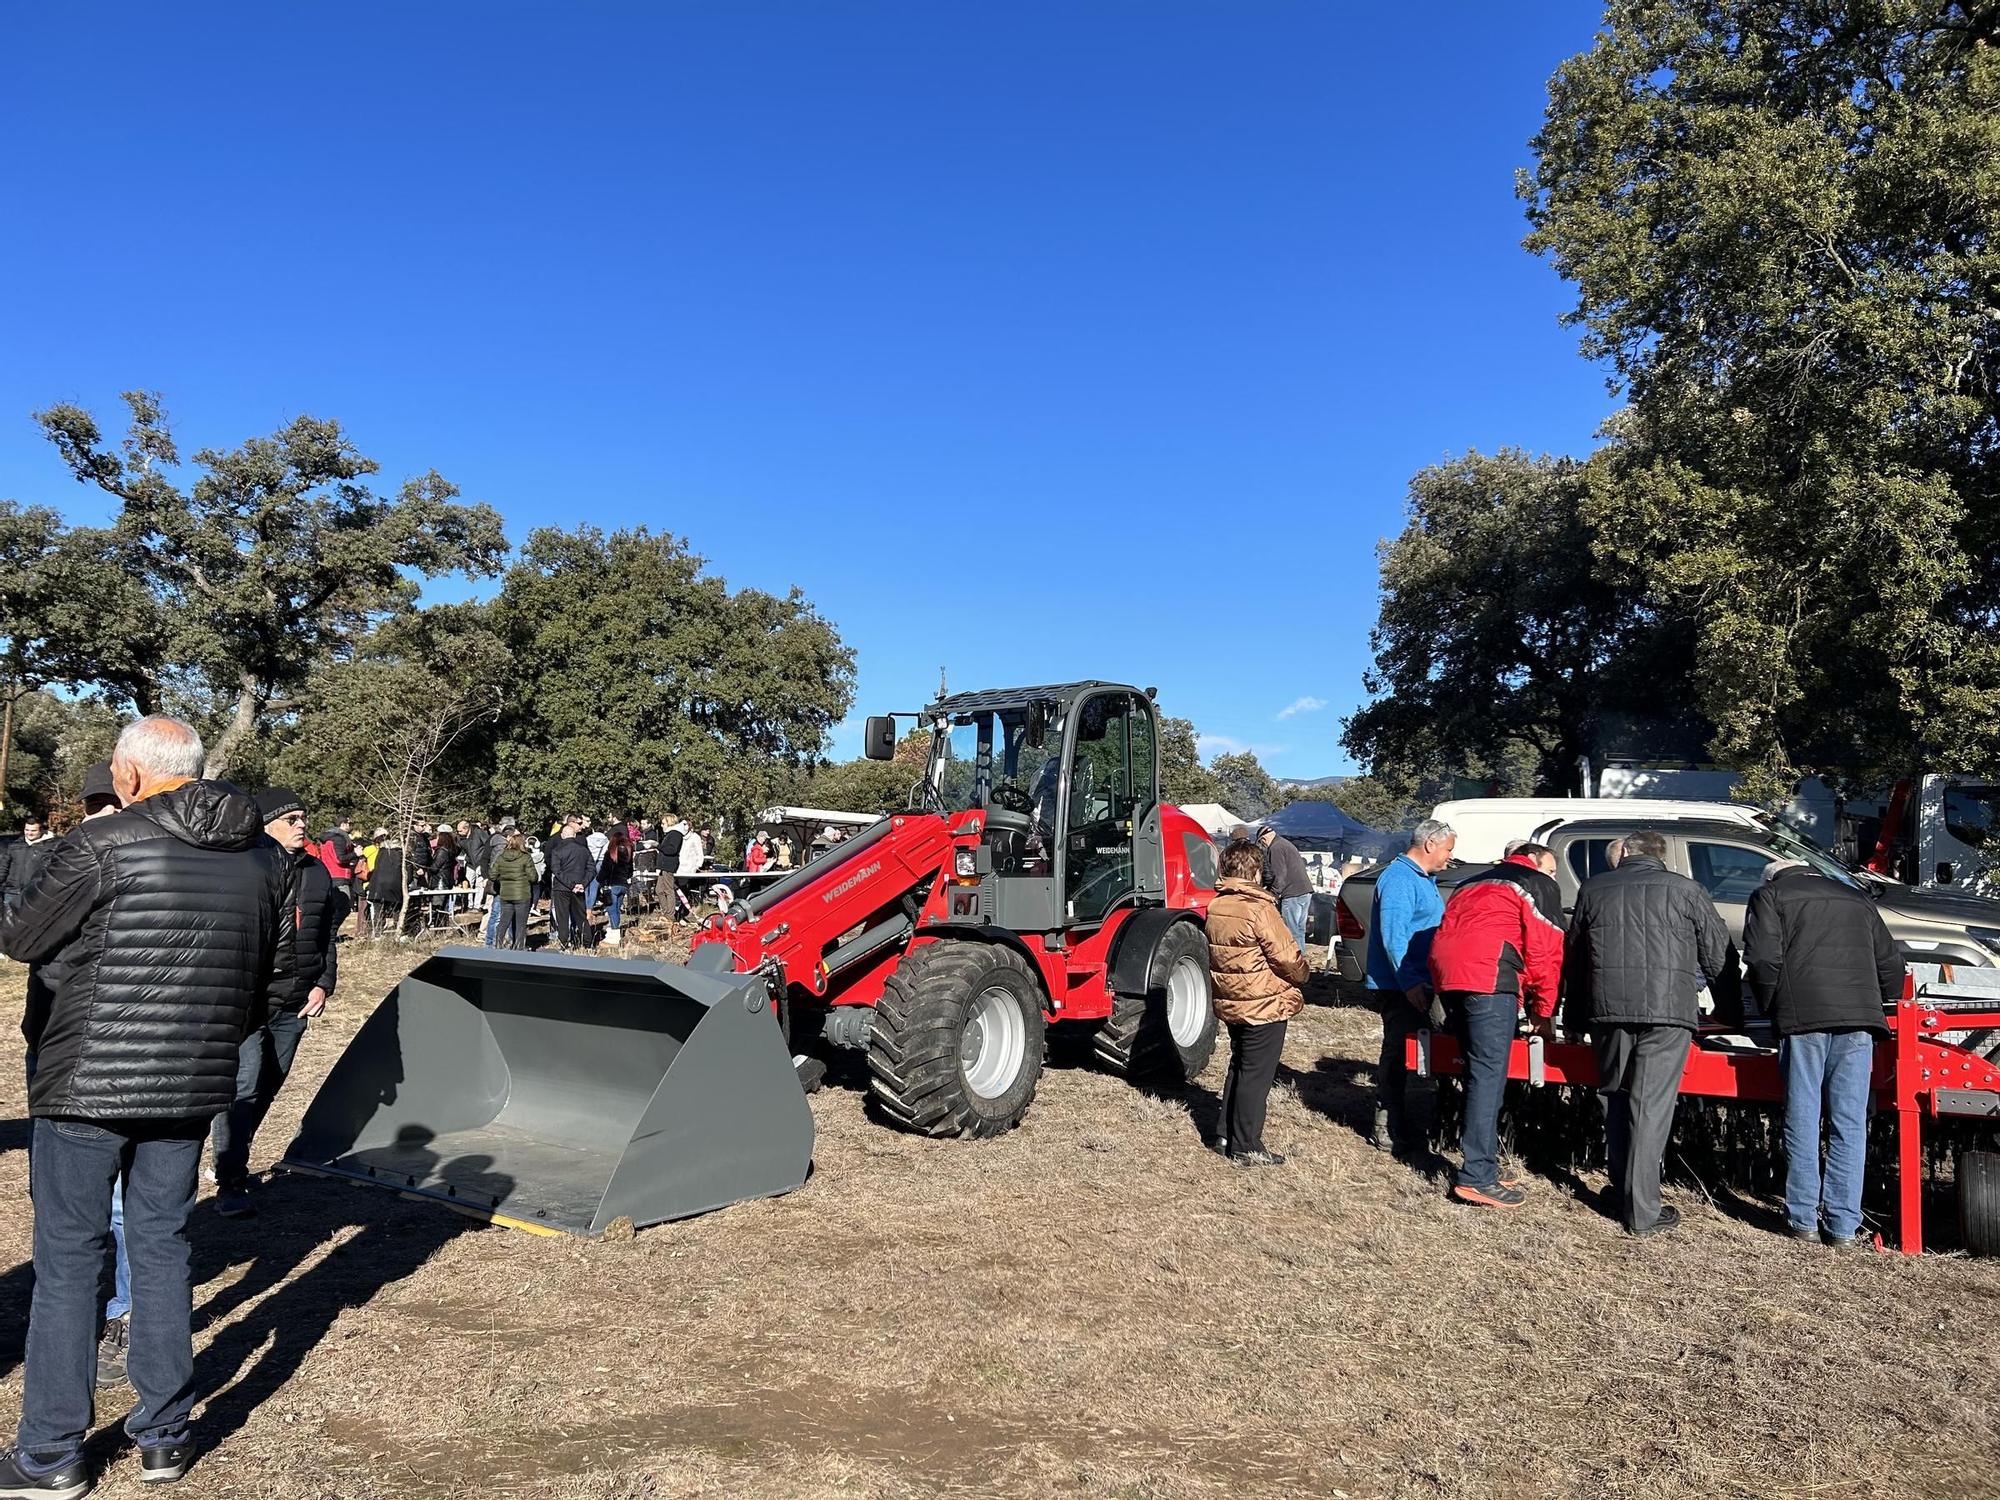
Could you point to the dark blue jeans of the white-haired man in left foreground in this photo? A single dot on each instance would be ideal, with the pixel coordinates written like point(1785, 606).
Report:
point(71, 1181)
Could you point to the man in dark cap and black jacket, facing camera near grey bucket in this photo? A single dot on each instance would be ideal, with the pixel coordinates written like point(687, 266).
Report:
point(307, 973)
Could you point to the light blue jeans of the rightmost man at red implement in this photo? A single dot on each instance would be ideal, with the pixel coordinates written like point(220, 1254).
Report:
point(1825, 1073)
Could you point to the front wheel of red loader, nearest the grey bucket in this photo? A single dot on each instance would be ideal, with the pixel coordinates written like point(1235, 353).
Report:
point(929, 1045)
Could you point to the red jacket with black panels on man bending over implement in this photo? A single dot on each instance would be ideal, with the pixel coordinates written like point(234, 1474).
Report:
point(1503, 935)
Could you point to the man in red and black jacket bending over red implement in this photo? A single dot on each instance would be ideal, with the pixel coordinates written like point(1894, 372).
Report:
point(1501, 943)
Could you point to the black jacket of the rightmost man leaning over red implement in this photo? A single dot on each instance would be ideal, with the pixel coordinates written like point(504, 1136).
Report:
point(1819, 957)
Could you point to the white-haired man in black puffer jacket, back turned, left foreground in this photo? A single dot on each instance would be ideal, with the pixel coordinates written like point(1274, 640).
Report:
point(157, 931)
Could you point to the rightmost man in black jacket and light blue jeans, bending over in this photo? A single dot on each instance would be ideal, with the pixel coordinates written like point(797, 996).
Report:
point(1823, 967)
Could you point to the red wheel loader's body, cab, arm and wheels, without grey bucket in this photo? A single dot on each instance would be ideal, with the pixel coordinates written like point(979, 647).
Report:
point(1037, 881)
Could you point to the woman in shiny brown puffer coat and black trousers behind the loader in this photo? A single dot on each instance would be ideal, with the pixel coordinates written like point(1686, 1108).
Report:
point(1259, 979)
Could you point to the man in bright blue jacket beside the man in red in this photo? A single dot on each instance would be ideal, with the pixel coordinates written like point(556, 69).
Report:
point(1405, 919)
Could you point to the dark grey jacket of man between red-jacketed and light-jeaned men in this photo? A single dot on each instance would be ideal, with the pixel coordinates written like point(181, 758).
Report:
point(1643, 941)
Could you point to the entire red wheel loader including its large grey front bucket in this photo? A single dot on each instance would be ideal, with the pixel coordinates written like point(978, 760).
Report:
point(1037, 881)
